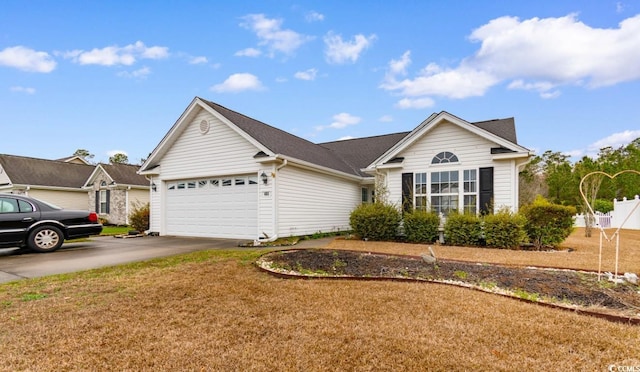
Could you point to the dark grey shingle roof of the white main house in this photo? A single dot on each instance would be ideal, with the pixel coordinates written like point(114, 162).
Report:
point(348, 156)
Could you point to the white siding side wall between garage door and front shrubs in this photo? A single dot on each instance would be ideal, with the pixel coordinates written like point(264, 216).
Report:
point(309, 202)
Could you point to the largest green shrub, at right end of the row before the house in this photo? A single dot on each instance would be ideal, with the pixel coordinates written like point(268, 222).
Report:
point(547, 223)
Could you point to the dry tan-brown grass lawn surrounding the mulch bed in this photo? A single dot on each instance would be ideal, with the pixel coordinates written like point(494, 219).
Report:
point(215, 311)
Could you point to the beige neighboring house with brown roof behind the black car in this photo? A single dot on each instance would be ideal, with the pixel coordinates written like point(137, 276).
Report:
point(54, 181)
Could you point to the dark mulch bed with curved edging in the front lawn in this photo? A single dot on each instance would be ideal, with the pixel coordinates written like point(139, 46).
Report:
point(568, 288)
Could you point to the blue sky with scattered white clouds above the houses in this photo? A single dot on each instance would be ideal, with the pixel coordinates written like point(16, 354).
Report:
point(114, 76)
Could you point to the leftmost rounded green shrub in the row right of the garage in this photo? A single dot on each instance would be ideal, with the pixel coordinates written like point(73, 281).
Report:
point(375, 221)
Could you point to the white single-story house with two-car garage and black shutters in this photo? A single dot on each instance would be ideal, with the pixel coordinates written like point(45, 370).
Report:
point(218, 173)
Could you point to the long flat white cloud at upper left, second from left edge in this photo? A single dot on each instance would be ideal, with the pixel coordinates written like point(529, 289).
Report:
point(115, 55)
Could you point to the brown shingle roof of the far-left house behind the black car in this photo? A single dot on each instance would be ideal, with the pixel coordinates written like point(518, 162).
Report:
point(42, 172)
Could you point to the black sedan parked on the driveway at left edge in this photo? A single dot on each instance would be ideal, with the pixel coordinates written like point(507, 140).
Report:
point(40, 226)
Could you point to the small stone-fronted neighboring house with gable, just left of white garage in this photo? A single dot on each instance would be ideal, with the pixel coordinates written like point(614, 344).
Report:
point(115, 190)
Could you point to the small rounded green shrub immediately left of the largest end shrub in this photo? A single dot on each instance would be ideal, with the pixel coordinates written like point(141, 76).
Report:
point(504, 229)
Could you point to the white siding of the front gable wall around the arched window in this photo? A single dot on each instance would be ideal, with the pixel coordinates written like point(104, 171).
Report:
point(473, 152)
